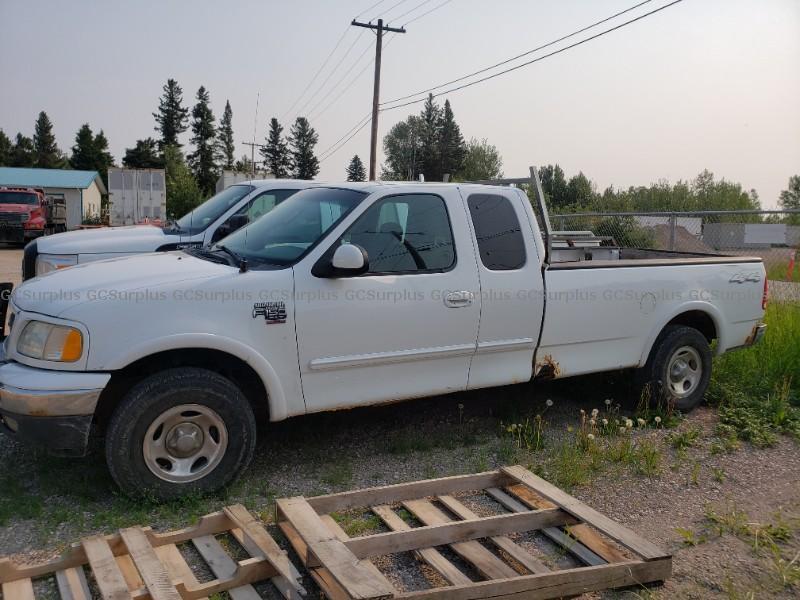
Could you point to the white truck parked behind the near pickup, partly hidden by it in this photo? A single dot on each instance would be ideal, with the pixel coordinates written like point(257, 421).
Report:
point(216, 218)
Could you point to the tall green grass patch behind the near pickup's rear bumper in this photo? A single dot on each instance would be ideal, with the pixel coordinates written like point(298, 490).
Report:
point(758, 389)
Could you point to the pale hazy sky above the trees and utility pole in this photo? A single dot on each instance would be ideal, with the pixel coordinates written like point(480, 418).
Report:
point(704, 84)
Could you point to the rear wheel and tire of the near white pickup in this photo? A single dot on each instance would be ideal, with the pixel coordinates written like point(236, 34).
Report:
point(678, 369)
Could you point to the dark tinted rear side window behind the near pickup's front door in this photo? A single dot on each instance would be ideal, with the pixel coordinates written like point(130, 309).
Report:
point(500, 241)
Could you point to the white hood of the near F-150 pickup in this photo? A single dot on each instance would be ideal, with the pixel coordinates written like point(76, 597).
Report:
point(58, 291)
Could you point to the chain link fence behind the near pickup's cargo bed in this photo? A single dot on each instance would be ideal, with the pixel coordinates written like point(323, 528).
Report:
point(772, 235)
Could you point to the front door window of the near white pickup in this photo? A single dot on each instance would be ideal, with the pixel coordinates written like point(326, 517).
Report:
point(405, 234)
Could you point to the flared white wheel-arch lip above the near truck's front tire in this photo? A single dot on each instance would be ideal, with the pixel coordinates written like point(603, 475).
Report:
point(276, 396)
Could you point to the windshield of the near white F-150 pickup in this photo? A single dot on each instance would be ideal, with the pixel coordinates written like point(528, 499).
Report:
point(284, 235)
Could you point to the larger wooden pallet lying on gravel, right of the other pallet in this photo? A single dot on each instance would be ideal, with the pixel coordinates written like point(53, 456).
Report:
point(342, 568)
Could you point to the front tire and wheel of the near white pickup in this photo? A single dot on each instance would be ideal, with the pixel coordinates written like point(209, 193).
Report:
point(180, 431)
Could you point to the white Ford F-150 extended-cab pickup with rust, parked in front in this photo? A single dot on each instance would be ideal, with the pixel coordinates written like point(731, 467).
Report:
point(344, 296)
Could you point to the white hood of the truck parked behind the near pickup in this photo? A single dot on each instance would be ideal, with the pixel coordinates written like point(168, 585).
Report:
point(134, 238)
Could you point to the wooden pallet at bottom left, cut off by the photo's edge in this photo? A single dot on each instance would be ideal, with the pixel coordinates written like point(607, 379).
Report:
point(138, 563)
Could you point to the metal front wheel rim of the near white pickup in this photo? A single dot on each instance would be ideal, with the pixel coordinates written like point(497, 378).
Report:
point(185, 443)
